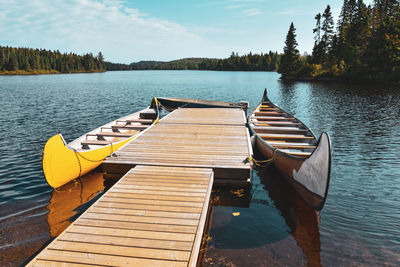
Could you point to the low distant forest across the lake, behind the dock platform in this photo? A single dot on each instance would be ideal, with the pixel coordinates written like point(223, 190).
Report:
point(247, 62)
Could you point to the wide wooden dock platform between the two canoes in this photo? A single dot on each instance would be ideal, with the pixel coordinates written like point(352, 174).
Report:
point(214, 138)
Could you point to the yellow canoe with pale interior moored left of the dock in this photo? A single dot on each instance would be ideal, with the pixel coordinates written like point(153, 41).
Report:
point(63, 162)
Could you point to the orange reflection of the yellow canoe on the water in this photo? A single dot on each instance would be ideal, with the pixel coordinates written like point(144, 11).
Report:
point(66, 200)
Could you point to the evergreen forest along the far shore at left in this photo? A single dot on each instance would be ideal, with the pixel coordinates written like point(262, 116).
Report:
point(27, 60)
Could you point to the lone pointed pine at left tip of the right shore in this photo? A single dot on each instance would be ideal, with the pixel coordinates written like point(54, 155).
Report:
point(290, 58)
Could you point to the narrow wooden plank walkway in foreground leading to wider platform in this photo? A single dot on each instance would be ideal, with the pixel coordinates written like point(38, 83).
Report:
point(153, 216)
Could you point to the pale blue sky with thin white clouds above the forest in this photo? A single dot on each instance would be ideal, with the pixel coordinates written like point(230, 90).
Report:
point(128, 31)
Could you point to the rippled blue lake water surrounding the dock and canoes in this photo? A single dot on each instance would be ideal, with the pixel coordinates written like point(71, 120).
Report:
point(359, 225)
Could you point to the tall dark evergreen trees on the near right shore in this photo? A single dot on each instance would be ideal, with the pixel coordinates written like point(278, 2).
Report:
point(364, 45)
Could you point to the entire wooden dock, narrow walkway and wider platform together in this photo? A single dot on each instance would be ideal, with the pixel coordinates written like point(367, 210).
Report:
point(155, 214)
